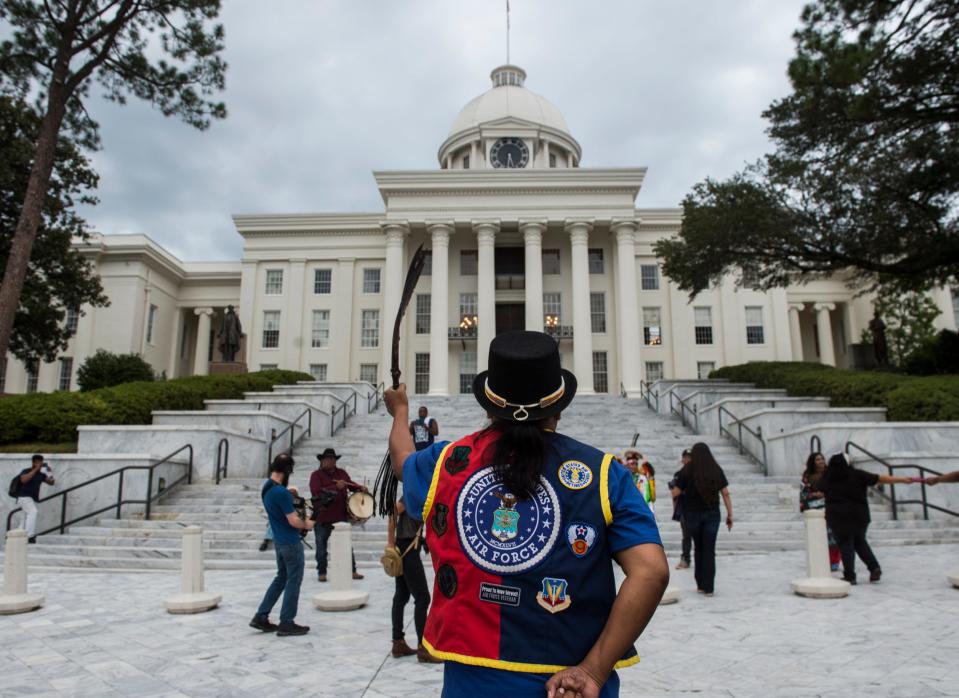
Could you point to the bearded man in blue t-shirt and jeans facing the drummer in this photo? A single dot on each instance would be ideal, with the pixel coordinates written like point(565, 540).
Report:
point(286, 525)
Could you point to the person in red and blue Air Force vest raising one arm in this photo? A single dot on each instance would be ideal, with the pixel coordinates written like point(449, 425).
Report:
point(523, 525)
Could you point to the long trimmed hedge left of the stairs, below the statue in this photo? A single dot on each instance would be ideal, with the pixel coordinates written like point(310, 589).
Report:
point(54, 417)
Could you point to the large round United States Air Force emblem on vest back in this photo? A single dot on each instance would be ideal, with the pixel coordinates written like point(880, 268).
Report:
point(501, 534)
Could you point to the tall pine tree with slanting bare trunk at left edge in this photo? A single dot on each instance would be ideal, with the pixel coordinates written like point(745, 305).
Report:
point(165, 52)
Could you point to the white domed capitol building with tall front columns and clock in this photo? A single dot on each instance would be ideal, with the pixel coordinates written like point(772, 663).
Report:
point(521, 236)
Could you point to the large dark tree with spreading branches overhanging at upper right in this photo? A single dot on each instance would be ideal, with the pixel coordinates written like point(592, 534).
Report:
point(865, 173)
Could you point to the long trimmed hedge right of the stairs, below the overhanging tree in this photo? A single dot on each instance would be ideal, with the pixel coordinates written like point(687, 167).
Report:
point(906, 398)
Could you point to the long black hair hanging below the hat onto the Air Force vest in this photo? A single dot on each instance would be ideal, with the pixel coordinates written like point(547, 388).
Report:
point(518, 454)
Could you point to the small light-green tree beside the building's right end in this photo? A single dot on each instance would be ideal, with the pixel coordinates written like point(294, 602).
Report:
point(910, 322)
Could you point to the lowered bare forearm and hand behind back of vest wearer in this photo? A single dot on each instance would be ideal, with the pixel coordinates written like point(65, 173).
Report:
point(647, 574)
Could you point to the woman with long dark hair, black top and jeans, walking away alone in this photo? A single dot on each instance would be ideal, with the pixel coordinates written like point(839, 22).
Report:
point(703, 482)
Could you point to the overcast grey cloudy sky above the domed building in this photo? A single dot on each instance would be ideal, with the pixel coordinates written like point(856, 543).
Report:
point(320, 94)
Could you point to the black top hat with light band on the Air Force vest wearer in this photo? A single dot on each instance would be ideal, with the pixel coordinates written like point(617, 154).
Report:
point(524, 380)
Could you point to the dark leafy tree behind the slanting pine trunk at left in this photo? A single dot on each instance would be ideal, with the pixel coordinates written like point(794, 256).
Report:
point(58, 276)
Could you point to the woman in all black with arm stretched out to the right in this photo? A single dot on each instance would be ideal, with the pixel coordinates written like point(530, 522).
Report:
point(847, 512)
